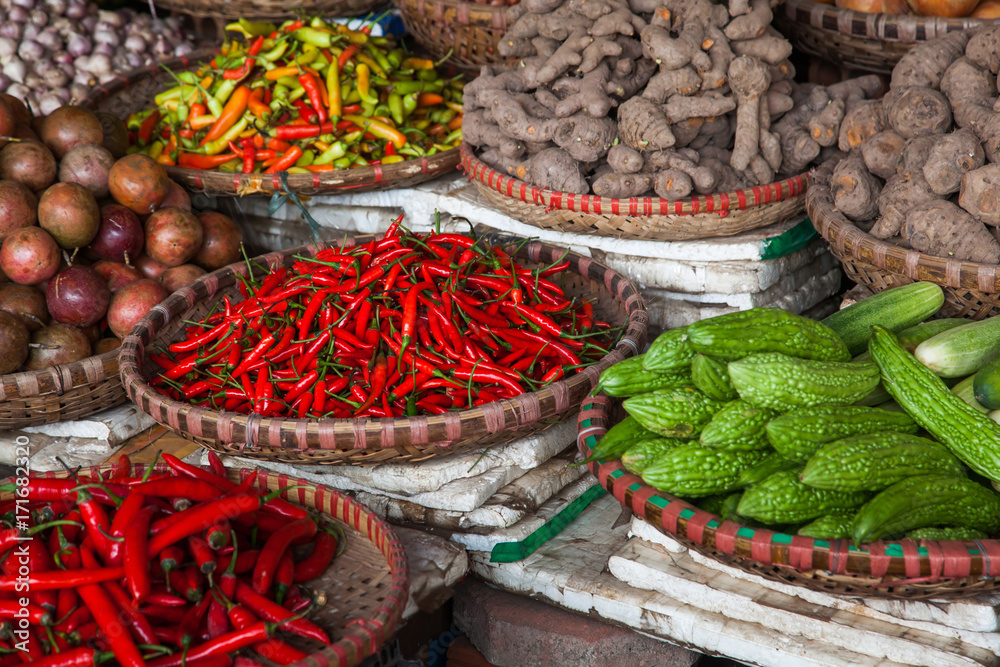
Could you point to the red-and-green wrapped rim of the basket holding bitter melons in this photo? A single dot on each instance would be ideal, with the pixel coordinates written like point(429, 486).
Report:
point(944, 560)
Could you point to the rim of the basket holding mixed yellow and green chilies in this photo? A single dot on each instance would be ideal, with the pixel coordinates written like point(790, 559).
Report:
point(343, 180)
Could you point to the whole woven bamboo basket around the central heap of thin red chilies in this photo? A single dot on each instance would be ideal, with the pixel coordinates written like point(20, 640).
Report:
point(367, 441)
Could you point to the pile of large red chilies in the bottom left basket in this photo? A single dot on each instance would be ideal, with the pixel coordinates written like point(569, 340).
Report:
point(164, 570)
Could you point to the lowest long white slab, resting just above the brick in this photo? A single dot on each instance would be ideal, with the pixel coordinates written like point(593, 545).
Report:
point(570, 570)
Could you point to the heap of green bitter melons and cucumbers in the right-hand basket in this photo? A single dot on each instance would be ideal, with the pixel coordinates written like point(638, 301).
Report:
point(778, 430)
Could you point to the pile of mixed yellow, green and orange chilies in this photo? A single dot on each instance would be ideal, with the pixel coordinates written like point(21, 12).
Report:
point(306, 97)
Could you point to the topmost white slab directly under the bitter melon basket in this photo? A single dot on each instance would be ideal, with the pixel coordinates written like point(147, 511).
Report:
point(965, 618)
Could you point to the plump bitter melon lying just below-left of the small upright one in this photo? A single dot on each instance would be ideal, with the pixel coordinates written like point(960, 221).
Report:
point(676, 413)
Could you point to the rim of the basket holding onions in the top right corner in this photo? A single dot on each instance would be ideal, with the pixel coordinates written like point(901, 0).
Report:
point(905, 28)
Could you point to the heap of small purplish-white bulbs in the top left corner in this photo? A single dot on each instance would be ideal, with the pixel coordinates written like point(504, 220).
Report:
point(53, 52)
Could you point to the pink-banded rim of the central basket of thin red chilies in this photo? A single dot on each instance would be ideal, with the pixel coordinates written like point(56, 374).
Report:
point(235, 427)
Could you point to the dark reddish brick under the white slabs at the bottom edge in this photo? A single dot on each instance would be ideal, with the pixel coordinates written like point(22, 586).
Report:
point(516, 631)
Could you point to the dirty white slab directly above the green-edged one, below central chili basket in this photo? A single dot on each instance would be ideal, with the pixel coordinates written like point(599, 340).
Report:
point(506, 507)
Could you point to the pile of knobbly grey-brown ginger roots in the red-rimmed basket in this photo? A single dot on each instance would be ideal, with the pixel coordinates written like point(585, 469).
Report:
point(627, 98)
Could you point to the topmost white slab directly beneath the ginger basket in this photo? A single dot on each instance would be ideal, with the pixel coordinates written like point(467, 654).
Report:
point(457, 197)
